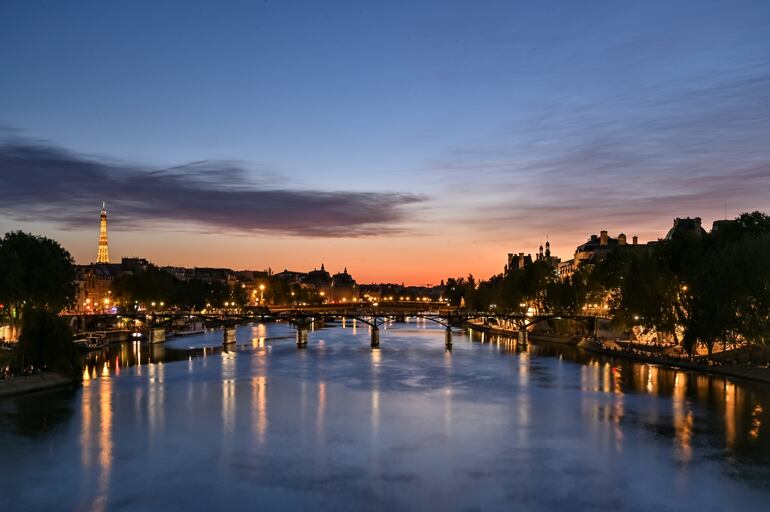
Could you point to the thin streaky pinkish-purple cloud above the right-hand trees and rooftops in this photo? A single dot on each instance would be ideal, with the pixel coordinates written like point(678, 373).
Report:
point(677, 151)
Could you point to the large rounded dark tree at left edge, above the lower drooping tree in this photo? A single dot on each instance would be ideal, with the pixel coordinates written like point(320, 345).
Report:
point(34, 271)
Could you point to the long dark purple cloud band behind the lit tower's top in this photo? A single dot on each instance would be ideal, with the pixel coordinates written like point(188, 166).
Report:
point(42, 182)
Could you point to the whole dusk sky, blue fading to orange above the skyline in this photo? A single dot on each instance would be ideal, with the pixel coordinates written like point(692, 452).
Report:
point(407, 141)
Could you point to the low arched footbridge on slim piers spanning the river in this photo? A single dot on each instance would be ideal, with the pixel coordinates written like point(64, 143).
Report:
point(304, 317)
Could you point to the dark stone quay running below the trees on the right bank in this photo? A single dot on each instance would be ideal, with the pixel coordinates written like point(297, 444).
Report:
point(739, 371)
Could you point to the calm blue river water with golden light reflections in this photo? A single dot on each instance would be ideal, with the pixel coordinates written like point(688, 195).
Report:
point(339, 426)
